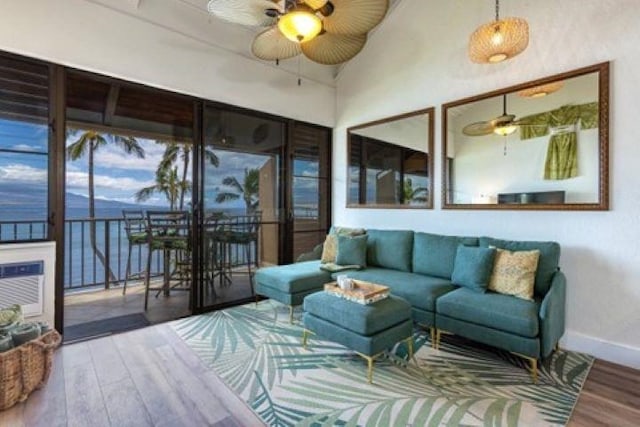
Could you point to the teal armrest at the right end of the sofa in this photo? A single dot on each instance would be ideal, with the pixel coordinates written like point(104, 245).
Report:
point(552, 314)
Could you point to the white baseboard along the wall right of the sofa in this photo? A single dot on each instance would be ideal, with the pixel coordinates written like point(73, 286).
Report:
point(605, 350)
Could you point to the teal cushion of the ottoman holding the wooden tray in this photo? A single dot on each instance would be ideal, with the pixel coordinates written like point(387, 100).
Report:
point(362, 319)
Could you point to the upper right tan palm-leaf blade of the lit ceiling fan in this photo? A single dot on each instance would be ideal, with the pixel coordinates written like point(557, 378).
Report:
point(355, 16)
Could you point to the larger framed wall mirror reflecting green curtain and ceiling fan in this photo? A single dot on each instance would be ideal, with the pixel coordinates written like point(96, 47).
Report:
point(540, 145)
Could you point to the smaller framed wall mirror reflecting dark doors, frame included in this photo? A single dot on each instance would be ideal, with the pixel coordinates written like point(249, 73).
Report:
point(390, 162)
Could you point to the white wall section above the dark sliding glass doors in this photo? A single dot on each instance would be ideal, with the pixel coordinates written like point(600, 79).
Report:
point(87, 35)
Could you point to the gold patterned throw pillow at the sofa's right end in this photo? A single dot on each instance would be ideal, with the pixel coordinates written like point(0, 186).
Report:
point(514, 273)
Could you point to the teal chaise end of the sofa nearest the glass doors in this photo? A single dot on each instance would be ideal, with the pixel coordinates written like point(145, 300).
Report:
point(289, 284)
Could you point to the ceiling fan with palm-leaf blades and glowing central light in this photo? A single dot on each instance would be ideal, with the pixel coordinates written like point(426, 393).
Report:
point(328, 32)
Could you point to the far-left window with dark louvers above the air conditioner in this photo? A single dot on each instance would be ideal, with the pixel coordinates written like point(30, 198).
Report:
point(24, 150)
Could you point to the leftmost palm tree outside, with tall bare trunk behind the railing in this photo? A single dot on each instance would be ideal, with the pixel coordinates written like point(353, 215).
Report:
point(88, 143)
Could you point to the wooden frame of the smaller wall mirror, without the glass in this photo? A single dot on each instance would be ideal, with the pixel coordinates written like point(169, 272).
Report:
point(430, 112)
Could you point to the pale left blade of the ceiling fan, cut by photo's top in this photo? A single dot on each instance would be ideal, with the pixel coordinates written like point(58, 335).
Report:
point(244, 12)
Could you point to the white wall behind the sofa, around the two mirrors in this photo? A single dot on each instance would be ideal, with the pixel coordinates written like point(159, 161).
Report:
point(418, 59)
